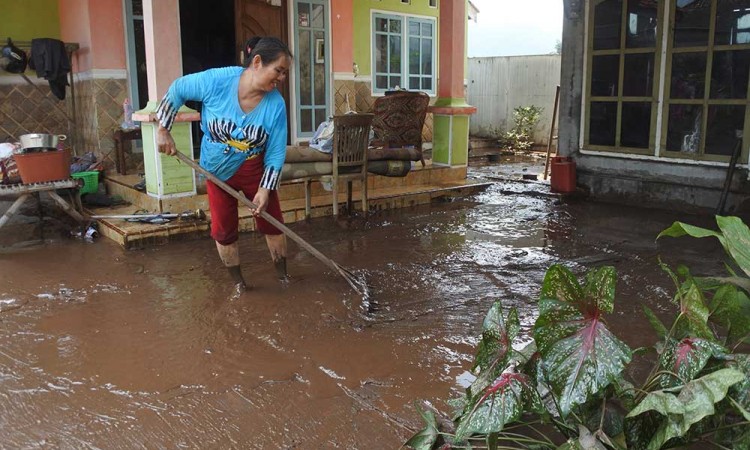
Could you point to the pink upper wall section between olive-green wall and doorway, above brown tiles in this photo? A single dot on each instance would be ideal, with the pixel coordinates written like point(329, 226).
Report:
point(97, 25)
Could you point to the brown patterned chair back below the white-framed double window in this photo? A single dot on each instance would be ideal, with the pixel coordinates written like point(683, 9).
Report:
point(399, 120)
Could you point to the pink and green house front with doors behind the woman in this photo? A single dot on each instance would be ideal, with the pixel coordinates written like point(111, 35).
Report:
point(347, 53)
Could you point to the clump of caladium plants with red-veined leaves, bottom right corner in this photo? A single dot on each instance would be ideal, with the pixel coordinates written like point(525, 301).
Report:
point(572, 375)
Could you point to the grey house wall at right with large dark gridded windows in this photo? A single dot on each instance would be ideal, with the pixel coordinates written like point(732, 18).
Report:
point(654, 95)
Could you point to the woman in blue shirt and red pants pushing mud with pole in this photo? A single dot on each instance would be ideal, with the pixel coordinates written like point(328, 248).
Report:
point(244, 143)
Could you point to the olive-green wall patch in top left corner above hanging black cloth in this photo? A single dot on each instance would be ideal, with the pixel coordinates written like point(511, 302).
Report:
point(23, 20)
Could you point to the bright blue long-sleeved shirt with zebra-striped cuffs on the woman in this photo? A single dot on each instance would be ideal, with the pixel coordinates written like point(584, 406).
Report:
point(231, 136)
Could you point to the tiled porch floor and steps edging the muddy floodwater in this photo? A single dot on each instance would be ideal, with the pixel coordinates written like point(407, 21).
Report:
point(421, 186)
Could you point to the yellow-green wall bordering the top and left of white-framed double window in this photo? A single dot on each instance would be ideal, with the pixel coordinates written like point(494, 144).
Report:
point(363, 24)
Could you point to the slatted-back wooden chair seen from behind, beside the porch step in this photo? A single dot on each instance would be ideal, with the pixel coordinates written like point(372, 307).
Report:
point(351, 138)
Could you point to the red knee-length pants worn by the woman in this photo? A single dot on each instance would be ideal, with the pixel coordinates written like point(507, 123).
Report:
point(224, 214)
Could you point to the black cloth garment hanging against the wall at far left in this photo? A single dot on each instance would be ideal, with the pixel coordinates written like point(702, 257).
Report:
point(51, 62)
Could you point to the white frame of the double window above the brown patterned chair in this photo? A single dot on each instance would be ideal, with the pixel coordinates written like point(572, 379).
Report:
point(405, 74)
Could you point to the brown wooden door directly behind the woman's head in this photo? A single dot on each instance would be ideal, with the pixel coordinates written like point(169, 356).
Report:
point(261, 18)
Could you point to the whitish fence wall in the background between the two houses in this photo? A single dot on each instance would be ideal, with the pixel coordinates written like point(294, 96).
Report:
point(498, 84)
